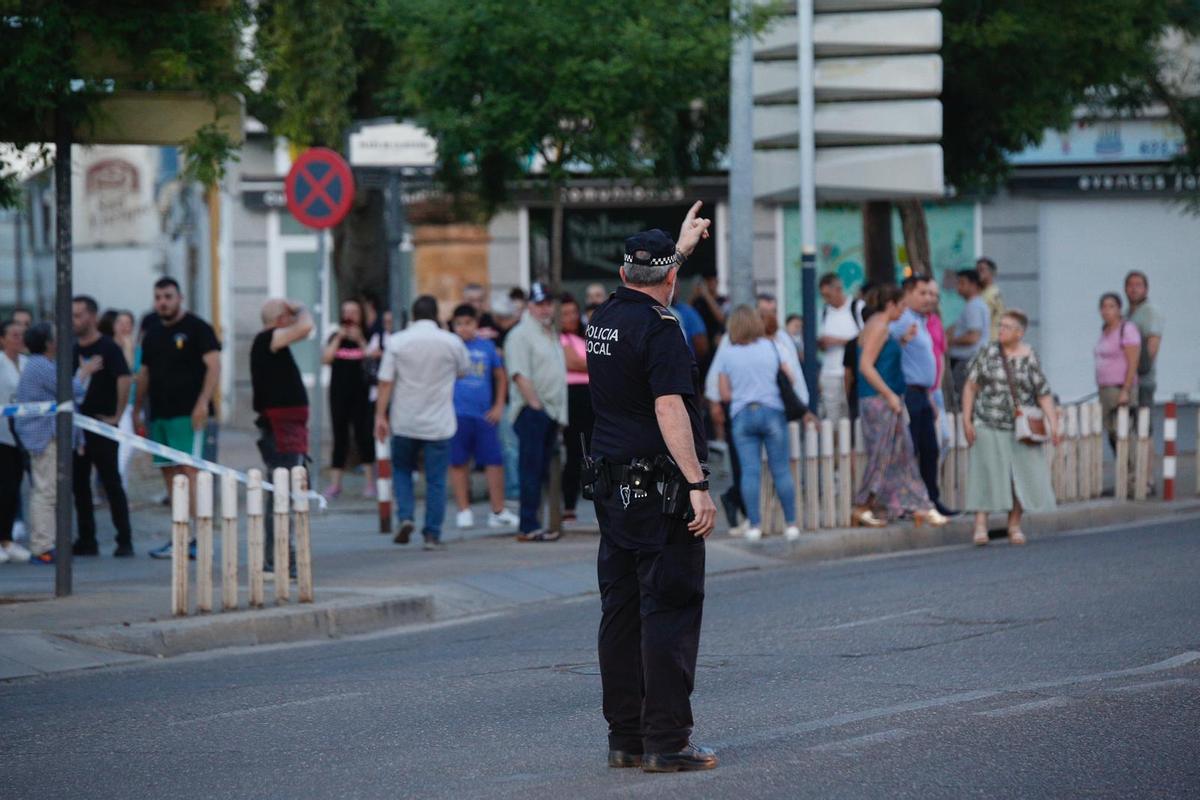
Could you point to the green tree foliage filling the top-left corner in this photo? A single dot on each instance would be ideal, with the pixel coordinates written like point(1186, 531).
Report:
point(63, 58)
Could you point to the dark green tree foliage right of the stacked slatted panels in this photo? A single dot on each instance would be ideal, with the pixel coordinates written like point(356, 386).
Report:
point(1016, 68)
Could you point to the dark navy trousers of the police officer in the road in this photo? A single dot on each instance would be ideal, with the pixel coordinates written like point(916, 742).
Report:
point(652, 594)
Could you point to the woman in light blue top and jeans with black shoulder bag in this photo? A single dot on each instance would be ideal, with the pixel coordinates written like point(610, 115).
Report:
point(759, 389)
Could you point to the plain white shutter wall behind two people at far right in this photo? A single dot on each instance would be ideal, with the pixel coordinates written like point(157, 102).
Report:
point(1087, 248)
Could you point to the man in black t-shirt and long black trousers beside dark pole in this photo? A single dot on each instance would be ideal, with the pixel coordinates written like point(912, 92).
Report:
point(106, 399)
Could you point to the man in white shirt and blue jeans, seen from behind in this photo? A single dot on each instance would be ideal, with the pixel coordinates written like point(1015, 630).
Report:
point(422, 364)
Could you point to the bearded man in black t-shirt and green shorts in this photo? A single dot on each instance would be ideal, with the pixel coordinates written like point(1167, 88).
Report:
point(181, 371)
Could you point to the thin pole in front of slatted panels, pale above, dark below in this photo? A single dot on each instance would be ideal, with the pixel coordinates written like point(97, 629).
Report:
point(808, 194)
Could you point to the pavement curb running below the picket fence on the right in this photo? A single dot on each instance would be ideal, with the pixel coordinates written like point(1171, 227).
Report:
point(854, 543)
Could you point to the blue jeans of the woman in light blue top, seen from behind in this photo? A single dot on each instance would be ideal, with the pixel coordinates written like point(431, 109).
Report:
point(754, 428)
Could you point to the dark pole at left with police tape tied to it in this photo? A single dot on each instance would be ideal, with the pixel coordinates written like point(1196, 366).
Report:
point(64, 340)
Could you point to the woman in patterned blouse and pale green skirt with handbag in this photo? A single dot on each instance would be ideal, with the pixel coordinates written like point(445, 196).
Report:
point(1009, 416)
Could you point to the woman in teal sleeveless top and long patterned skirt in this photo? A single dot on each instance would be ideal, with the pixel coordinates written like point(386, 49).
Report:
point(892, 485)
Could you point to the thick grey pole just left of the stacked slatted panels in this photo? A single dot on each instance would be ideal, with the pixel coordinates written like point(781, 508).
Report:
point(741, 234)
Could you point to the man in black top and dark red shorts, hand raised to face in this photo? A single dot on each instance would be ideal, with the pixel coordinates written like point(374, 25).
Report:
point(280, 398)
